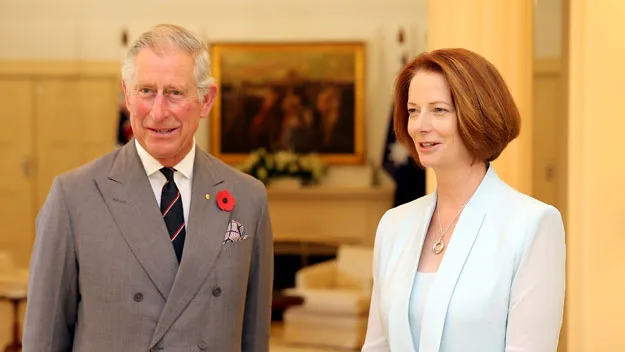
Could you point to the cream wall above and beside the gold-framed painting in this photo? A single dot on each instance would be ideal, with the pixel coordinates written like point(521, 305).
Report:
point(91, 30)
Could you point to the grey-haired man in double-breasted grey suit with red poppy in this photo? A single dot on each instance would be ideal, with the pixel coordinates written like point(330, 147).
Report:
point(157, 246)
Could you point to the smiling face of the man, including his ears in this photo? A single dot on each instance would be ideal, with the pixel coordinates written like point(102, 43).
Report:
point(163, 102)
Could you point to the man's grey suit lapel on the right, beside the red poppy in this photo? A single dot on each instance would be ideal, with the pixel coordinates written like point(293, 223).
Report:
point(205, 234)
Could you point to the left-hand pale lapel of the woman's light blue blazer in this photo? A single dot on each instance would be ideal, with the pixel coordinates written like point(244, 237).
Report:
point(400, 335)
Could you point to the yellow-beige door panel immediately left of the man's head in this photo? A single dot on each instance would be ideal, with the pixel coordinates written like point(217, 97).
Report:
point(76, 122)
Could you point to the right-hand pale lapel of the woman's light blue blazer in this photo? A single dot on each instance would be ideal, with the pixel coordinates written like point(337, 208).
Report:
point(449, 271)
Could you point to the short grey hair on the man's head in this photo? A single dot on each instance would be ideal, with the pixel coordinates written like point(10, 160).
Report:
point(161, 37)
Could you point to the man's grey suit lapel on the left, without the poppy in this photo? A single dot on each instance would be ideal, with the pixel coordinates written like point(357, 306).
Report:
point(130, 199)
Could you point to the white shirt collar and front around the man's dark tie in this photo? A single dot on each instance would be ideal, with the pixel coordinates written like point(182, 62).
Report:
point(183, 176)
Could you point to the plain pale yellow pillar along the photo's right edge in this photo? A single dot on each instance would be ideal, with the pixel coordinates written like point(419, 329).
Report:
point(596, 193)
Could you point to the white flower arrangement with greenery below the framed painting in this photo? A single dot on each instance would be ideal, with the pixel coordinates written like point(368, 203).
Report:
point(266, 166)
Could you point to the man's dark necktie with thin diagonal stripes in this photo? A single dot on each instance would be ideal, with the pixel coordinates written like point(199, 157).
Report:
point(171, 208)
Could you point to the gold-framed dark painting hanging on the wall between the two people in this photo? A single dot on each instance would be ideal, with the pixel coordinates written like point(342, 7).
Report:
point(302, 97)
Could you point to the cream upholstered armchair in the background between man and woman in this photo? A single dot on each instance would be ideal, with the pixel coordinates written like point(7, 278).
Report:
point(336, 296)
